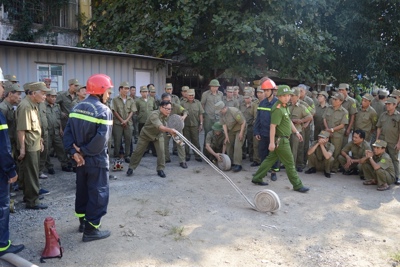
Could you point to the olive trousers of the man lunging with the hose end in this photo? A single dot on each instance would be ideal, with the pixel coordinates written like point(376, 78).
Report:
point(141, 147)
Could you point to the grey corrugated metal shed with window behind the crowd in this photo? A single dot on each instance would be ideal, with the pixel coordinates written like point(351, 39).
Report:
point(36, 61)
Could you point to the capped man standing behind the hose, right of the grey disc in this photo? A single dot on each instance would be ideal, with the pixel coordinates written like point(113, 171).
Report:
point(193, 122)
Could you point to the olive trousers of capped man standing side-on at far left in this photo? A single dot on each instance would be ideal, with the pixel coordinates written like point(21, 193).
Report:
point(31, 177)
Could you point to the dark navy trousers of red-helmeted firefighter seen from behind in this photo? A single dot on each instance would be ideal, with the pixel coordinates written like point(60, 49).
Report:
point(92, 193)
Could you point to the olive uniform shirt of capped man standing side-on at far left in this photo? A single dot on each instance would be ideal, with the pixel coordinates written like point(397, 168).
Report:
point(28, 121)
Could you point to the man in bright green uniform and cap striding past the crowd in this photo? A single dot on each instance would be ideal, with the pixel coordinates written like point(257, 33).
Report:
point(280, 129)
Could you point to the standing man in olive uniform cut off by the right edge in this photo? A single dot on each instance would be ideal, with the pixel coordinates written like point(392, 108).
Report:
point(388, 129)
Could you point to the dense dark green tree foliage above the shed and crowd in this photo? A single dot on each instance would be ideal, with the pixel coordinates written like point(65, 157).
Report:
point(314, 41)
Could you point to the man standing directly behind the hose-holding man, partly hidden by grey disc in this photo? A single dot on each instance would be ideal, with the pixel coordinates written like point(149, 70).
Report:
point(181, 111)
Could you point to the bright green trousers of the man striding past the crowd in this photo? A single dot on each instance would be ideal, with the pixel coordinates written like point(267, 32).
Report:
point(284, 154)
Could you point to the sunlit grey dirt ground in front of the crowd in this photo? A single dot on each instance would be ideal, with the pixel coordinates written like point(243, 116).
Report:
point(195, 218)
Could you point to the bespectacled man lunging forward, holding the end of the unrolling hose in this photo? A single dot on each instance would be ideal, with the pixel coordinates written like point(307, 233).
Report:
point(153, 131)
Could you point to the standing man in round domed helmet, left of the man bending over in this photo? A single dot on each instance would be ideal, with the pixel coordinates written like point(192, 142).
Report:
point(208, 100)
